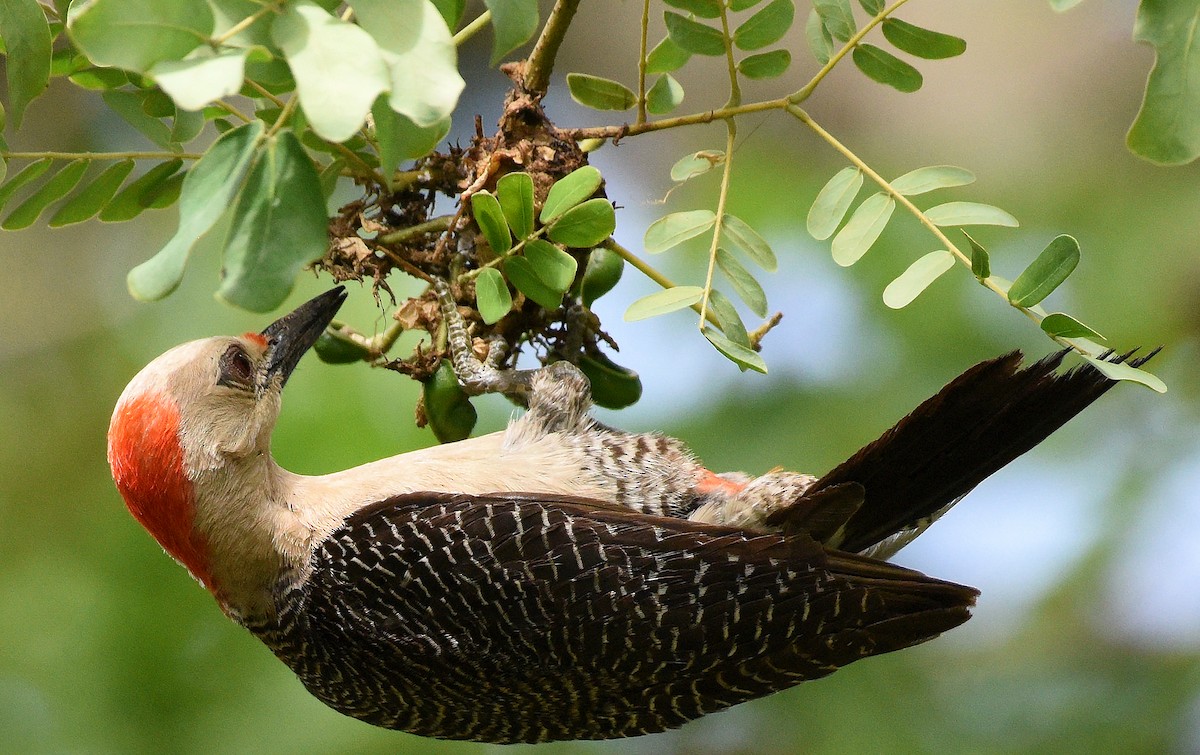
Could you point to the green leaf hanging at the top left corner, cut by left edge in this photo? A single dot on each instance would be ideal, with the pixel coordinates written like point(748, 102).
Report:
point(27, 39)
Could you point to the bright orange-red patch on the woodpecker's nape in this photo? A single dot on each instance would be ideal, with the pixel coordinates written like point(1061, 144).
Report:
point(148, 468)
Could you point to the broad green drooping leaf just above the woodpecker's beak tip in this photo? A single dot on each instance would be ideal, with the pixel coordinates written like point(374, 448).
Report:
point(279, 227)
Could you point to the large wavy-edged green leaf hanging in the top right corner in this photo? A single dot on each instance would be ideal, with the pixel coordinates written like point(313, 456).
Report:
point(1167, 130)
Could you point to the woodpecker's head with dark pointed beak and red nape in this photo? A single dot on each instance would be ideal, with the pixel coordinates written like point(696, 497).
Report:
point(205, 411)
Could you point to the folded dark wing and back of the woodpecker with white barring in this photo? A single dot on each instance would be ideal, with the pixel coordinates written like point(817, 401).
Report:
point(526, 619)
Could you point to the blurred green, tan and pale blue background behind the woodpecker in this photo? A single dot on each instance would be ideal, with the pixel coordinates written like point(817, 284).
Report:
point(1088, 636)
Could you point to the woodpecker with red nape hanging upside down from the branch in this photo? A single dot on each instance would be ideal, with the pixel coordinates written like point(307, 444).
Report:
point(561, 579)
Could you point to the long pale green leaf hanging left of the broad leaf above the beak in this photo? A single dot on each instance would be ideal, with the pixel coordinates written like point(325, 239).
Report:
point(208, 193)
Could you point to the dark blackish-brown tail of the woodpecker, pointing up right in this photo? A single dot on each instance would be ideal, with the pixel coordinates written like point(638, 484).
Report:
point(982, 421)
